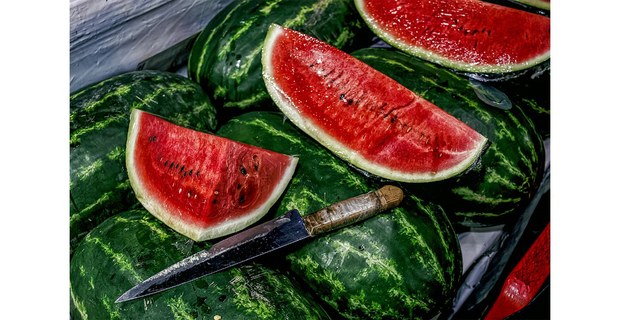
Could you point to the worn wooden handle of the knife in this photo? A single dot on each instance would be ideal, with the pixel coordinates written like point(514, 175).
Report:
point(352, 210)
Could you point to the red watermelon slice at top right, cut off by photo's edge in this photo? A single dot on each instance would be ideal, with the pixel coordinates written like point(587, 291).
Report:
point(467, 35)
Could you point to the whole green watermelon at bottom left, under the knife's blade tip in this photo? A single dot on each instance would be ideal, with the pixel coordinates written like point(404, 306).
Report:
point(132, 246)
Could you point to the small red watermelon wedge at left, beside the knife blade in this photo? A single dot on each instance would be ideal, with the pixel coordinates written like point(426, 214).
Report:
point(201, 185)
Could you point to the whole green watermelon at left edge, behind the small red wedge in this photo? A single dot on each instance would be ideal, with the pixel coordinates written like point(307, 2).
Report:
point(99, 119)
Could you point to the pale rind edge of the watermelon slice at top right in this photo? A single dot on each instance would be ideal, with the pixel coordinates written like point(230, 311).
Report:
point(441, 60)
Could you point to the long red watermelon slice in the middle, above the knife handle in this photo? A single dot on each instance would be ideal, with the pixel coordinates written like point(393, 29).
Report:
point(362, 115)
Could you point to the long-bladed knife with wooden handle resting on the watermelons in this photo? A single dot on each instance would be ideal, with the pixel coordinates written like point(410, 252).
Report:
point(265, 238)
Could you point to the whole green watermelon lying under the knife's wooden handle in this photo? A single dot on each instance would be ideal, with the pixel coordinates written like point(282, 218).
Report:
point(402, 264)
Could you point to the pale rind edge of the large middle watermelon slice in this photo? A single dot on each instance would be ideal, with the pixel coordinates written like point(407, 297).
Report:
point(342, 151)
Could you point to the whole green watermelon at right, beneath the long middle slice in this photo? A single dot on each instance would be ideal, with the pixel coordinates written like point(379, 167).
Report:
point(495, 190)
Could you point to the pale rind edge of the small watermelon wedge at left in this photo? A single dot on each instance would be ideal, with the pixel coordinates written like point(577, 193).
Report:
point(197, 233)
